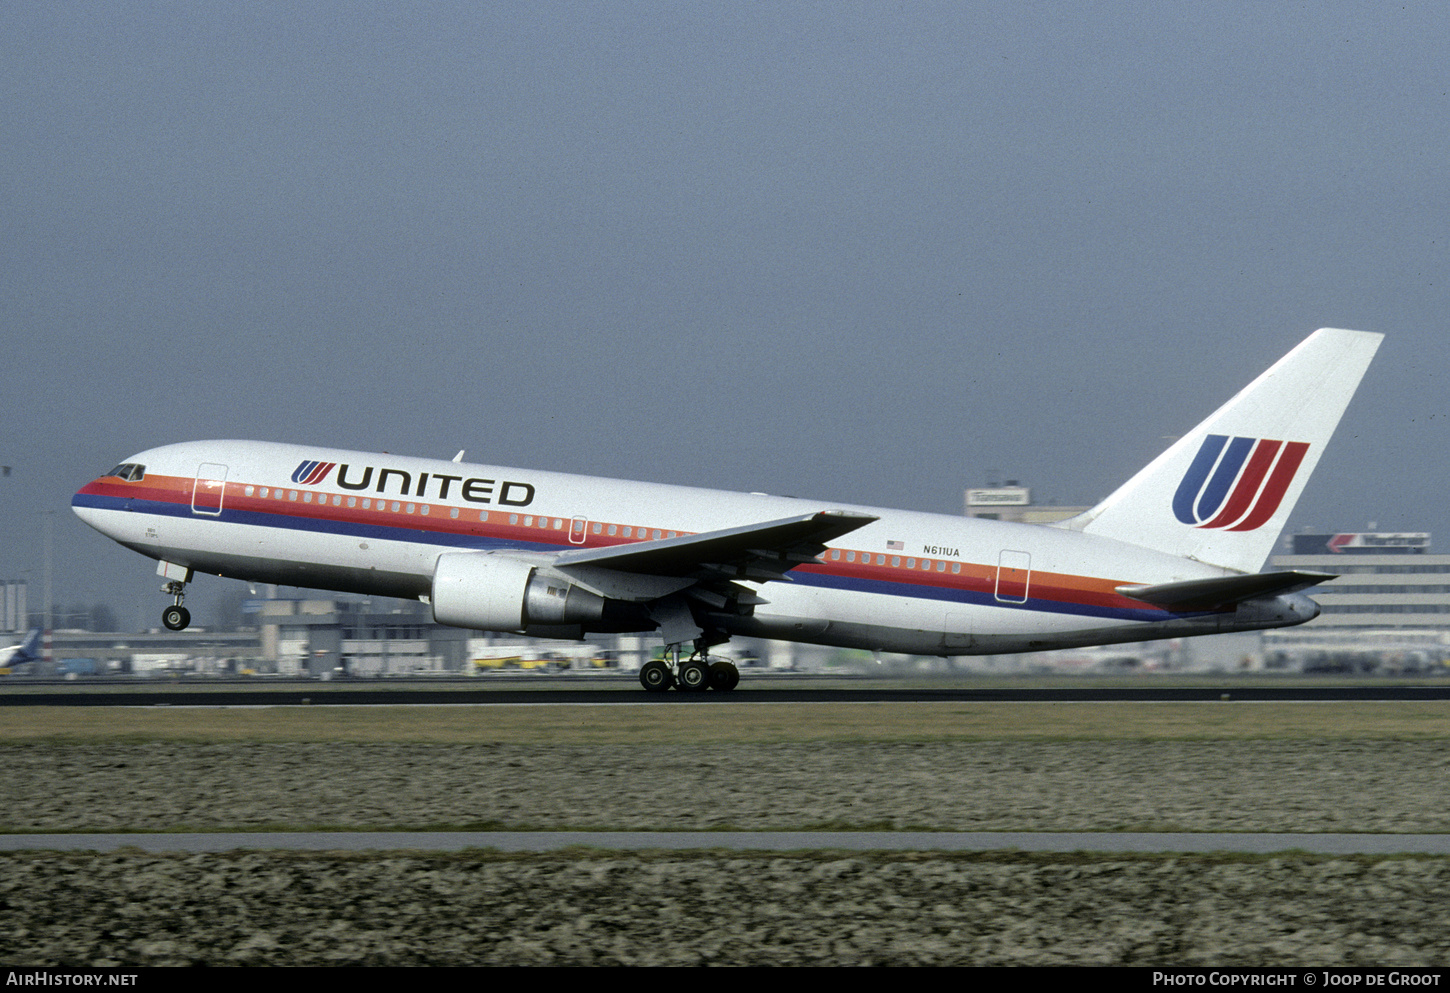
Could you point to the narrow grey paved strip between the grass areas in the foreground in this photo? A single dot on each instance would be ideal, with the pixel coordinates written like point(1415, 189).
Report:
point(1323, 844)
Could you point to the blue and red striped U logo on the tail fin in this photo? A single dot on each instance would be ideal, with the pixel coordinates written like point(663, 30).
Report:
point(1238, 483)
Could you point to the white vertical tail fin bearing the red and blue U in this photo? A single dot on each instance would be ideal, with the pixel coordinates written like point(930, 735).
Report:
point(1223, 492)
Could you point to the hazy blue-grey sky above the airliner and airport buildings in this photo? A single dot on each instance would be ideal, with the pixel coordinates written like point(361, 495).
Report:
point(869, 253)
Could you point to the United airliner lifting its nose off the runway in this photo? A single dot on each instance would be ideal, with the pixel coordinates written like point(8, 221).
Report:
point(1174, 552)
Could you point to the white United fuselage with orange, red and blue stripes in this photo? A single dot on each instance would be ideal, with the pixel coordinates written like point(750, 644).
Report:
point(376, 524)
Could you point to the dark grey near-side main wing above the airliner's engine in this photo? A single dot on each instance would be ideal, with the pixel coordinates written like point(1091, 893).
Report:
point(716, 559)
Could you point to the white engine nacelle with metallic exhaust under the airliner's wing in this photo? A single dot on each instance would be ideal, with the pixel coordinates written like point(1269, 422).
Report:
point(501, 594)
